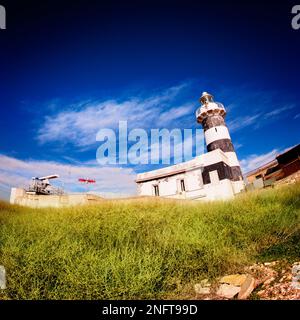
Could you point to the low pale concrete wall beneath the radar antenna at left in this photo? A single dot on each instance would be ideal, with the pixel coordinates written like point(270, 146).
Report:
point(19, 196)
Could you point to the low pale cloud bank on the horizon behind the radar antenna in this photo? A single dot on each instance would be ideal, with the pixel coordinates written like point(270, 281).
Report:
point(109, 180)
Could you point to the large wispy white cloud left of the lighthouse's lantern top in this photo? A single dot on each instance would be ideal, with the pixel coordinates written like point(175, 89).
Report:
point(80, 123)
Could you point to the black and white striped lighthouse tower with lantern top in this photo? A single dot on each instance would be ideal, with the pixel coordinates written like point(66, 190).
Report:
point(211, 115)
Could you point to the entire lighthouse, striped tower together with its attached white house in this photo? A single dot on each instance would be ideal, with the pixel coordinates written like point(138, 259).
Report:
point(213, 175)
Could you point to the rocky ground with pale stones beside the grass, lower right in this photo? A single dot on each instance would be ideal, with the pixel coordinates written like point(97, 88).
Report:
point(276, 280)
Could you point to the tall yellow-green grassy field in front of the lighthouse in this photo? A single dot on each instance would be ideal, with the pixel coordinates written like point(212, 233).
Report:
point(142, 249)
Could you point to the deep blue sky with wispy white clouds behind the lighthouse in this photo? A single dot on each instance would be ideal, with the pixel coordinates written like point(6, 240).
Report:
point(70, 70)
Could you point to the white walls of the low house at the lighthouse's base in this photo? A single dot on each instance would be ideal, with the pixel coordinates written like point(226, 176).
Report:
point(168, 180)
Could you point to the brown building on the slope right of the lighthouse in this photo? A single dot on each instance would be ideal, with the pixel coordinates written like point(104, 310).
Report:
point(284, 165)
